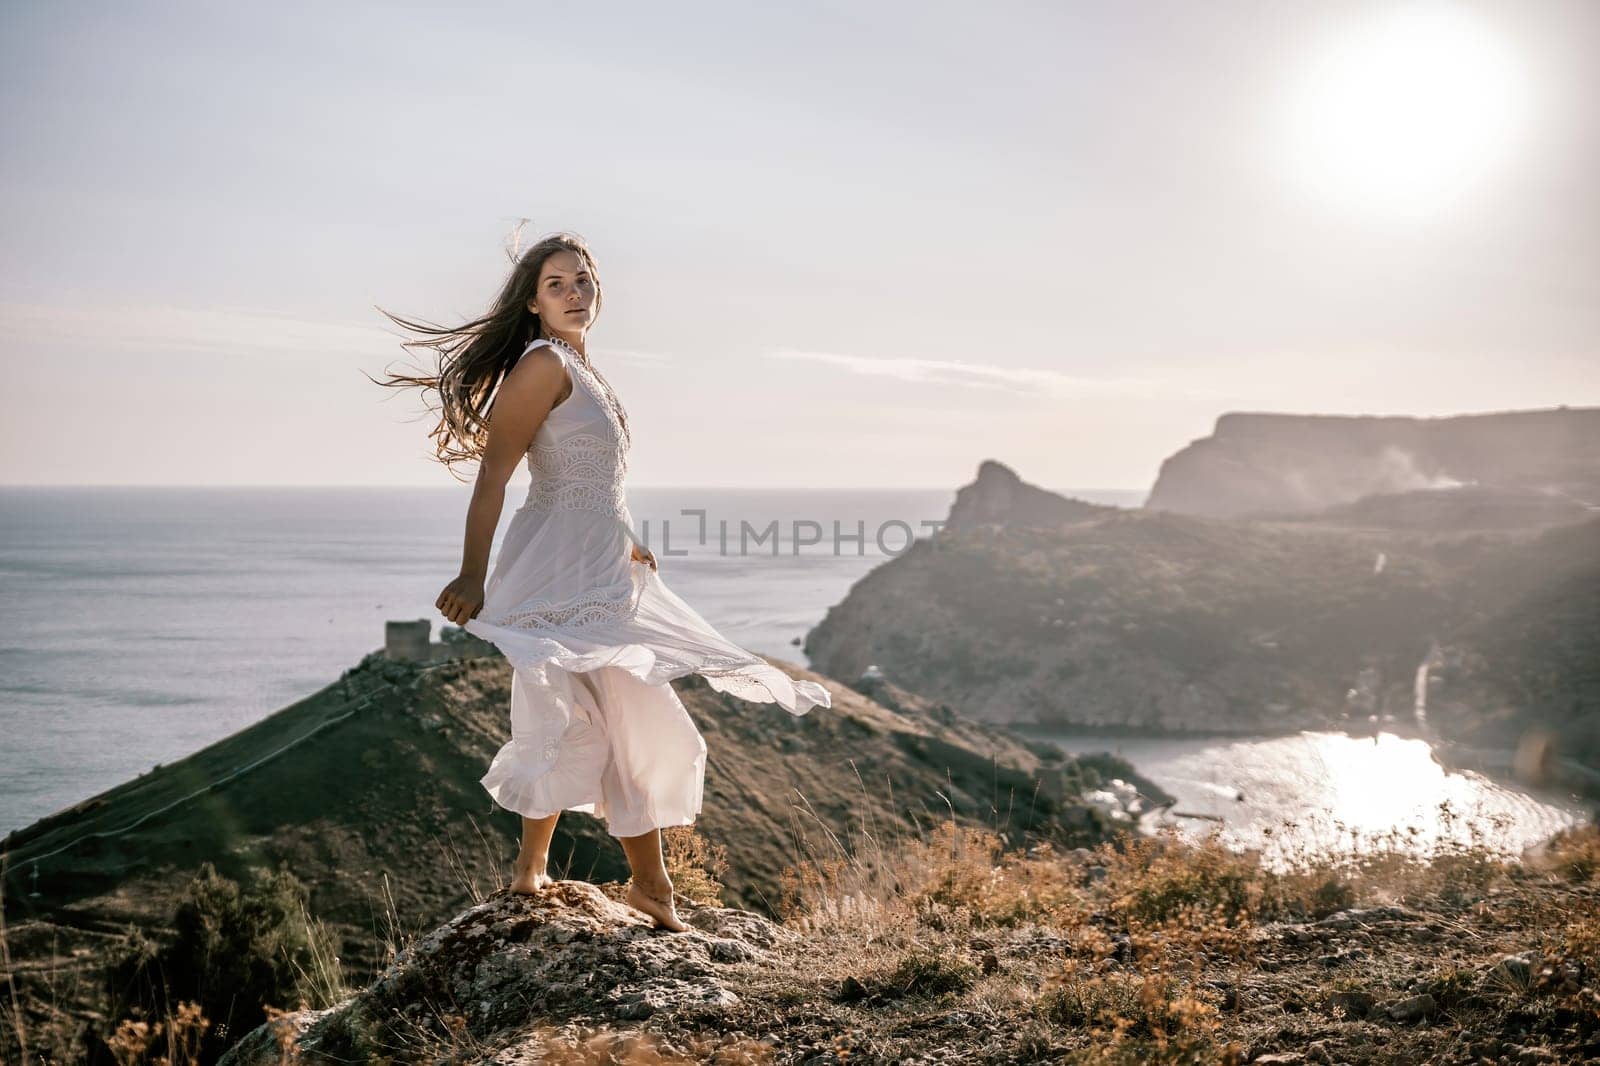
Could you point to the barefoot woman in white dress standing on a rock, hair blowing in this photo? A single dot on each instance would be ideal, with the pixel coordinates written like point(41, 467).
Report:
point(575, 601)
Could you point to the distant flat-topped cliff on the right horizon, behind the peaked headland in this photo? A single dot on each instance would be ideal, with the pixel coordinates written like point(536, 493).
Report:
point(1297, 463)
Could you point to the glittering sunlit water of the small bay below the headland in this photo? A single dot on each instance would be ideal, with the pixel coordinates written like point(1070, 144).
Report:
point(1316, 795)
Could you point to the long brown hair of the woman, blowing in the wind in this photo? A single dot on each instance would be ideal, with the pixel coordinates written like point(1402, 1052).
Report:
point(476, 356)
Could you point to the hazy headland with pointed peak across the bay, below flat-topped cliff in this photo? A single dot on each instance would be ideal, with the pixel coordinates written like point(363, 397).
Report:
point(1170, 623)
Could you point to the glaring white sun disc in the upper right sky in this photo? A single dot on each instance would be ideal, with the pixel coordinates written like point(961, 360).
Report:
point(1409, 114)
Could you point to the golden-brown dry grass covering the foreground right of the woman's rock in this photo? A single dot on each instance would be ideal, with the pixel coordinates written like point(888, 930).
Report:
point(1150, 924)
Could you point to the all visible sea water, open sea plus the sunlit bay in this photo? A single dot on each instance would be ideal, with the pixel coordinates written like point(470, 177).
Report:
point(143, 623)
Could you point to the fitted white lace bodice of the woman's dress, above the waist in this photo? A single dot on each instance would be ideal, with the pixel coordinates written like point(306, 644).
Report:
point(580, 455)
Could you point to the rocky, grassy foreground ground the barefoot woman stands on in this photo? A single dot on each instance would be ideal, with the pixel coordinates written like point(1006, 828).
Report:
point(1153, 952)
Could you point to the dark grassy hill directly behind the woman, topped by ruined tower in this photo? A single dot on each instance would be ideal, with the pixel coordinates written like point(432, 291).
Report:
point(369, 791)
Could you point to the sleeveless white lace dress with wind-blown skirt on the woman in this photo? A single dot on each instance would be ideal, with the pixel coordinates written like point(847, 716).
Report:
point(594, 638)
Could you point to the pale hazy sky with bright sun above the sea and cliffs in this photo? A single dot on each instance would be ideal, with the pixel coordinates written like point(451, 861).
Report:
point(841, 244)
